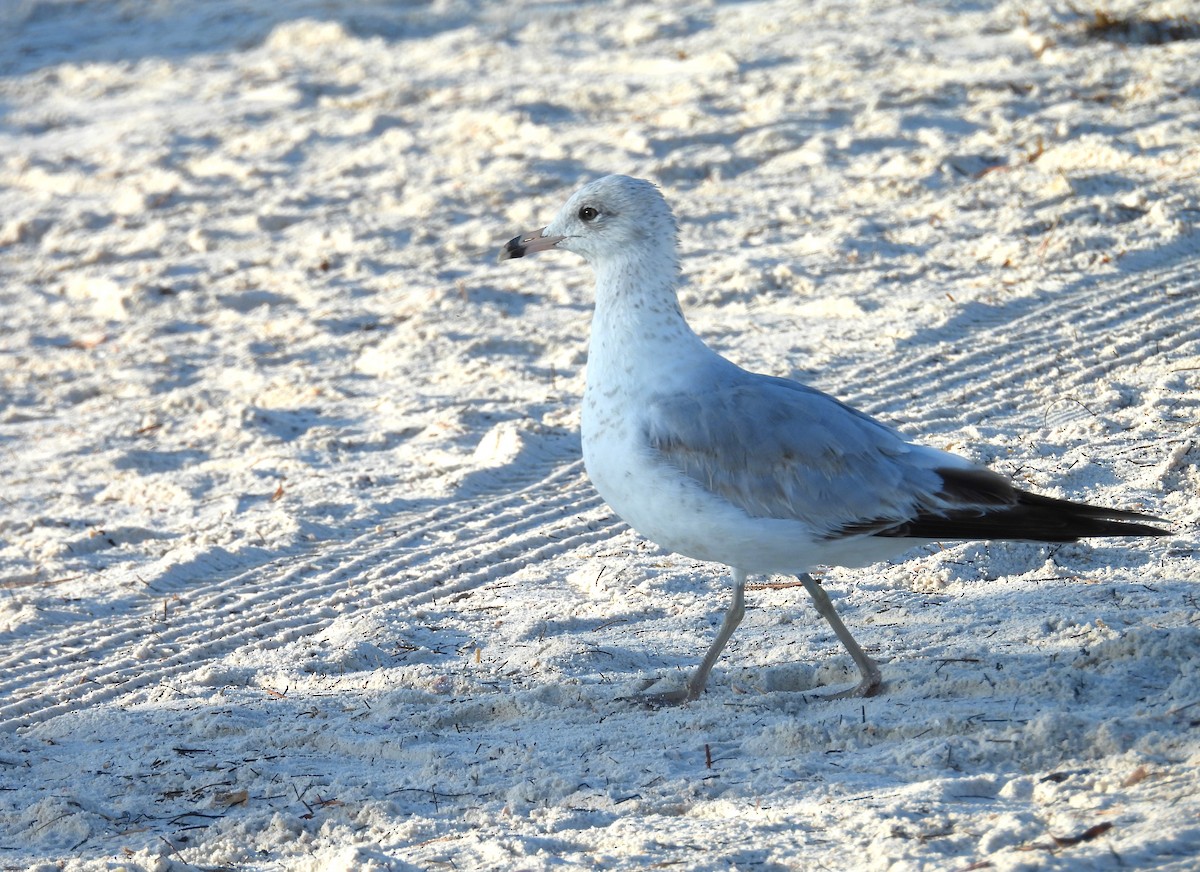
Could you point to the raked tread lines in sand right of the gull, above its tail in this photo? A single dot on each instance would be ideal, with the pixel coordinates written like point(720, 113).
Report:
point(1071, 338)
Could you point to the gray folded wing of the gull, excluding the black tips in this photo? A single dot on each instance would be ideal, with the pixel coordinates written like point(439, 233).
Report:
point(782, 450)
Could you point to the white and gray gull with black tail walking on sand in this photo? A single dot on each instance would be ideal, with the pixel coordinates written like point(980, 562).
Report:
point(763, 474)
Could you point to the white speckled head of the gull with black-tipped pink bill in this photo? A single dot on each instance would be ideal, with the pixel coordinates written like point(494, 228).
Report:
point(607, 219)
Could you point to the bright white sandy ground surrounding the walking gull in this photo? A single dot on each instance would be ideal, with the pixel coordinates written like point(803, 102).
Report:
point(301, 568)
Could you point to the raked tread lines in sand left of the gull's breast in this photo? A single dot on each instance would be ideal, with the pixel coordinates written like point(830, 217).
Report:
point(301, 594)
